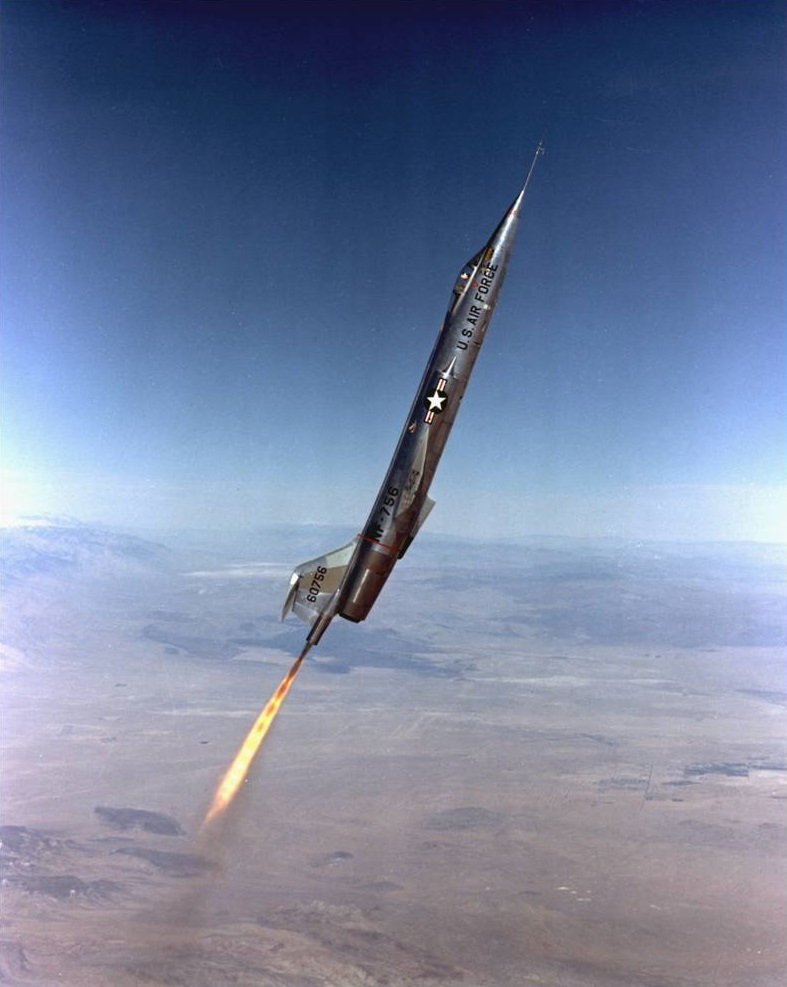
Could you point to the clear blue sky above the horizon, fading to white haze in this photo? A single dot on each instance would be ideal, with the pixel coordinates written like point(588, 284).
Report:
point(230, 232)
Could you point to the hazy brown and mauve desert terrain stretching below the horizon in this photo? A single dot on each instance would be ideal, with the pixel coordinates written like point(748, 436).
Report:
point(554, 763)
